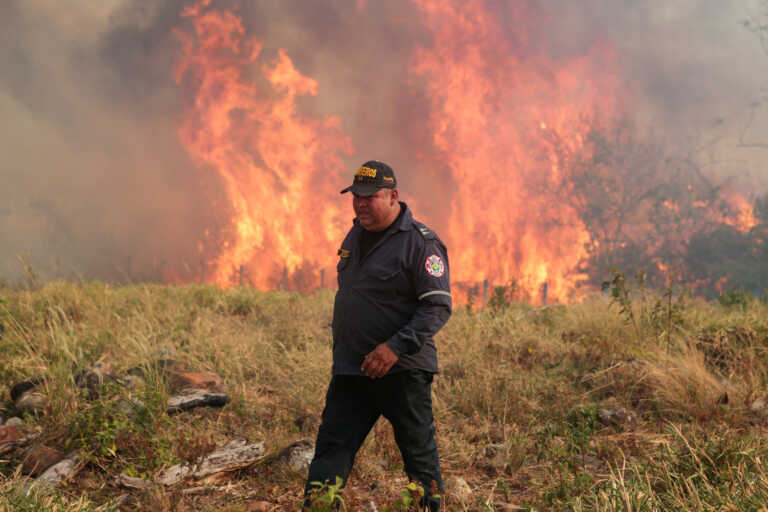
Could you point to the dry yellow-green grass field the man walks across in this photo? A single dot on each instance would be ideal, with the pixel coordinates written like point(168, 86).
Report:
point(517, 402)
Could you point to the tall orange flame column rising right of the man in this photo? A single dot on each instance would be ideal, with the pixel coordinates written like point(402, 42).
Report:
point(495, 106)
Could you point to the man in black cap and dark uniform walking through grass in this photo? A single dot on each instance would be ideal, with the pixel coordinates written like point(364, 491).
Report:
point(393, 296)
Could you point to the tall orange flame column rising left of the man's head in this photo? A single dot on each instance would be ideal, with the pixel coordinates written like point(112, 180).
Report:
point(276, 165)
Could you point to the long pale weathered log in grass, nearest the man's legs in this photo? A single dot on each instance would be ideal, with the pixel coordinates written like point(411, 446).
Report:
point(234, 455)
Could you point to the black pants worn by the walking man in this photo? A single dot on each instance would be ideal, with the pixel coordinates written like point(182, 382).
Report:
point(352, 406)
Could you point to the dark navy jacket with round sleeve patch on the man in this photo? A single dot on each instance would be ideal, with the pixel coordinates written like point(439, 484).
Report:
point(399, 293)
